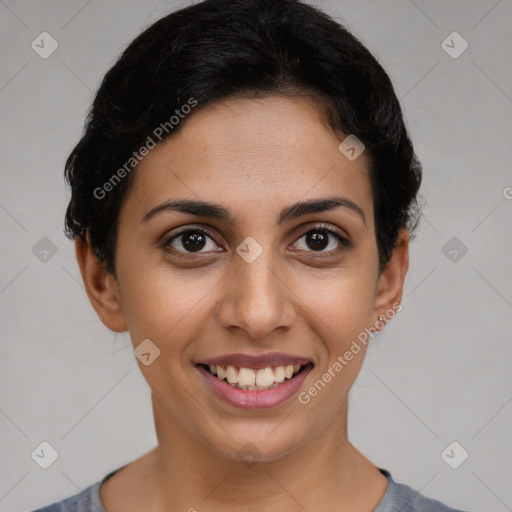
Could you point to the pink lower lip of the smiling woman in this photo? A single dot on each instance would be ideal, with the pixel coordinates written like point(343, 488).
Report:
point(254, 399)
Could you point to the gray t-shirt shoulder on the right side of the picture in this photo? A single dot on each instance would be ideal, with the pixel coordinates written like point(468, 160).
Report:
point(402, 498)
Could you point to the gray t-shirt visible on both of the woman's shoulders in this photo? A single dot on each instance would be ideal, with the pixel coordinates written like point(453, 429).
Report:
point(397, 498)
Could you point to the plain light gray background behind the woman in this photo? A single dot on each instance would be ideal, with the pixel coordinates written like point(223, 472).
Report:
point(440, 372)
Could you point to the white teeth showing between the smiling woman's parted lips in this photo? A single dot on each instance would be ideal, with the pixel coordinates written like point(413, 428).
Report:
point(250, 379)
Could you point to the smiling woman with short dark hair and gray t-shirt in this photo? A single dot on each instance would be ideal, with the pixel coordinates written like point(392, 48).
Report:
point(242, 203)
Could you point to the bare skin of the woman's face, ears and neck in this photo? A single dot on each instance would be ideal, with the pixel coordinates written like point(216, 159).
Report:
point(255, 157)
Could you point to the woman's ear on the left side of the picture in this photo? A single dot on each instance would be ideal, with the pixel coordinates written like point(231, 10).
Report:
point(101, 286)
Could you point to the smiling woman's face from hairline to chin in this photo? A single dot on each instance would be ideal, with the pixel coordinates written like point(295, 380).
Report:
point(269, 280)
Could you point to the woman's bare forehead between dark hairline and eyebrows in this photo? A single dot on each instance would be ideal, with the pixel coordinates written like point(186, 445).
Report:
point(242, 152)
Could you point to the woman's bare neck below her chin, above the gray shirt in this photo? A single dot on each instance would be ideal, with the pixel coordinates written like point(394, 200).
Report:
point(325, 473)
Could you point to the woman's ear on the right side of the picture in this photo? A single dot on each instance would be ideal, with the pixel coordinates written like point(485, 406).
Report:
point(391, 281)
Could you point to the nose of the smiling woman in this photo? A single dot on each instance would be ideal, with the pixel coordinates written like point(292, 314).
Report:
point(257, 299)
